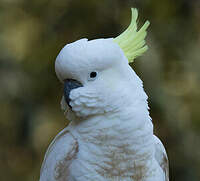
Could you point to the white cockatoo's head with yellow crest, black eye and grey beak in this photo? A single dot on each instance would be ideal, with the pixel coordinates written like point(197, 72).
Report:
point(96, 74)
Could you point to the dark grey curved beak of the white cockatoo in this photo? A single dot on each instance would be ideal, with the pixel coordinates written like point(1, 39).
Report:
point(70, 84)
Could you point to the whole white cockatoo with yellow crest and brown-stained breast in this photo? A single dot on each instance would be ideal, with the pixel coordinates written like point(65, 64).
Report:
point(110, 136)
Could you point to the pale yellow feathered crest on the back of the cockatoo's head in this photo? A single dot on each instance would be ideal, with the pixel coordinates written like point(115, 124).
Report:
point(132, 41)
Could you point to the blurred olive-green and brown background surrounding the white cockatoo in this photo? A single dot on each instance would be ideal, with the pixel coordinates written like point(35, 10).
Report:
point(33, 32)
